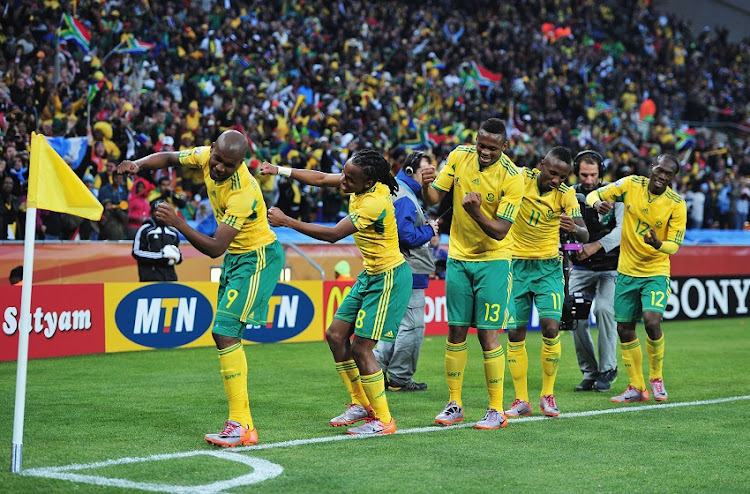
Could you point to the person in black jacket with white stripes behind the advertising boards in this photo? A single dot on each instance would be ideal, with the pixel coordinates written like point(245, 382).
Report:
point(157, 249)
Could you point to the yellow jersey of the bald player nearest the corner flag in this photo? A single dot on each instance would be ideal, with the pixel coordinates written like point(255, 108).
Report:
point(236, 201)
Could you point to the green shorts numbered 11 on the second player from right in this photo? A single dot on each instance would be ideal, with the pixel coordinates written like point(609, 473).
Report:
point(539, 281)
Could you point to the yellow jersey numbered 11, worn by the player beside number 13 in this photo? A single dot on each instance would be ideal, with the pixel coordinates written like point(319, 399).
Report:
point(536, 233)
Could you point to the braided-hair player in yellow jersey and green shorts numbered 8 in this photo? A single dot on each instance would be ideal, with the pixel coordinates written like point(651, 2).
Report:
point(375, 306)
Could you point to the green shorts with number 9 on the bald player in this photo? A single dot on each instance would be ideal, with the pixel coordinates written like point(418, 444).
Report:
point(246, 285)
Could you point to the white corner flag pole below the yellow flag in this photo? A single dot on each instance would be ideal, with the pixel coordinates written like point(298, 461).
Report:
point(23, 340)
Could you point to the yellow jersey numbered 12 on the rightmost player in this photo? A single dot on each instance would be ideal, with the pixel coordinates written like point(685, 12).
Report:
point(665, 213)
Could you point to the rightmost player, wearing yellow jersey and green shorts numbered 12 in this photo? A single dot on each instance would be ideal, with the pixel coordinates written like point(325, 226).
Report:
point(653, 229)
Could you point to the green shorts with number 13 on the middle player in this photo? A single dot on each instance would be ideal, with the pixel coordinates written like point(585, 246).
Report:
point(478, 294)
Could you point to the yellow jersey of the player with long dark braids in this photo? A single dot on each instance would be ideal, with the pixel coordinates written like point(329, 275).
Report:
point(376, 237)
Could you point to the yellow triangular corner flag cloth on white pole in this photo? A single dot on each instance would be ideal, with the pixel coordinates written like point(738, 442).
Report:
point(54, 186)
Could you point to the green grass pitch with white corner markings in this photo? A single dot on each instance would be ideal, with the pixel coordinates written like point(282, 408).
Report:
point(83, 410)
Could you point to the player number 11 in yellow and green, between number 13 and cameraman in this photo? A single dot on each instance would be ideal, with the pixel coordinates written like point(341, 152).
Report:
point(548, 206)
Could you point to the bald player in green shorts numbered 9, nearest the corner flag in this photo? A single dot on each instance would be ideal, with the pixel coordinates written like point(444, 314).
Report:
point(251, 265)
